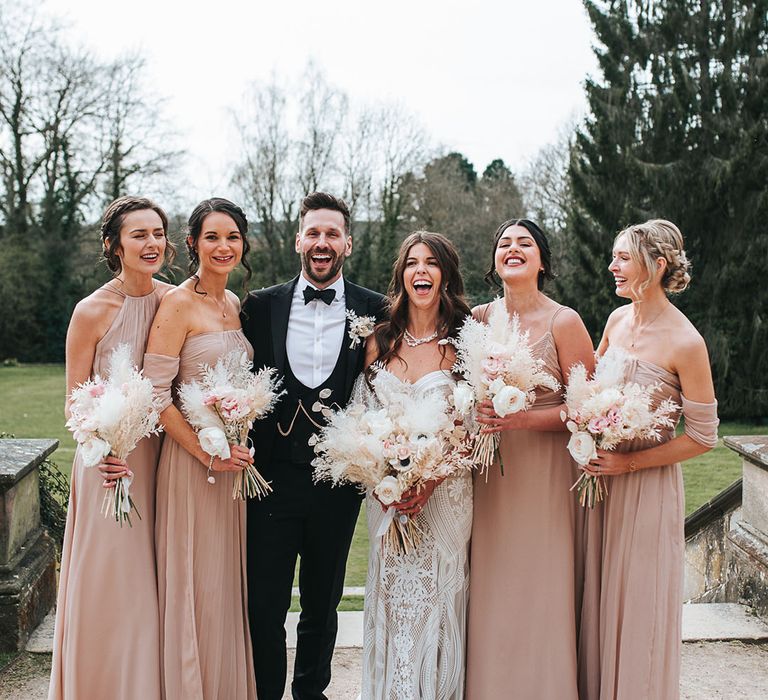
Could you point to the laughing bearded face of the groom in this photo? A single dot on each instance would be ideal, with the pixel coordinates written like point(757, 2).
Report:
point(323, 245)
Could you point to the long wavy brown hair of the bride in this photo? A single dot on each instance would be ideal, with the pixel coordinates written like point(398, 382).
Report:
point(453, 309)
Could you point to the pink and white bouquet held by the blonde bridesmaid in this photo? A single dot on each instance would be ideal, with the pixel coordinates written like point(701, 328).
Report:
point(605, 410)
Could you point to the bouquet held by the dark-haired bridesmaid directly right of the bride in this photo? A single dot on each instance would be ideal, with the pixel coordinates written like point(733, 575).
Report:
point(497, 363)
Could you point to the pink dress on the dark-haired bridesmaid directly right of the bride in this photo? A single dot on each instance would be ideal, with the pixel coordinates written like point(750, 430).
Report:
point(522, 598)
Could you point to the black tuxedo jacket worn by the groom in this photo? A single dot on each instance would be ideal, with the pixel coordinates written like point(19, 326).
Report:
point(264, 317)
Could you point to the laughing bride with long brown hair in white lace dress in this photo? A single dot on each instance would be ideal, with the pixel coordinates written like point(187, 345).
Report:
point(416, 603)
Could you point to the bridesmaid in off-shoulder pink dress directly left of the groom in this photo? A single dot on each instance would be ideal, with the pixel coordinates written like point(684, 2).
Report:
point(205, 646)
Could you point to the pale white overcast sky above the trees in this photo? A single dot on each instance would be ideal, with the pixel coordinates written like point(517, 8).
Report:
point(490, 78)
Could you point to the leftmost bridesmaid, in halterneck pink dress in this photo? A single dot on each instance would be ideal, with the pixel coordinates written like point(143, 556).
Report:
point(106, 641)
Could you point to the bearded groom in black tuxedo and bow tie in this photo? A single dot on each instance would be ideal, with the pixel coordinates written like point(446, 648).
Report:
point(301, 328)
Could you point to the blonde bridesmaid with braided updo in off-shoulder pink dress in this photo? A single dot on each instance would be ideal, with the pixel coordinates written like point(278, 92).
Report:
point(642, 543)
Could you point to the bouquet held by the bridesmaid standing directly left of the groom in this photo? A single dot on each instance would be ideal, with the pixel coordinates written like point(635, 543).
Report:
point(222, 408)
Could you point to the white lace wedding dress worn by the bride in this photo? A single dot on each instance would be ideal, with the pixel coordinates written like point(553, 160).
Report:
point(416, 603)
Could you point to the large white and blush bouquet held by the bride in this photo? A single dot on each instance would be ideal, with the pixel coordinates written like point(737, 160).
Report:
point(393, 442)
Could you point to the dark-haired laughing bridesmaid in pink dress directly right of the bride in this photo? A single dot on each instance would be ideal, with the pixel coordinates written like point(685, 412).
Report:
point(523, 577)
